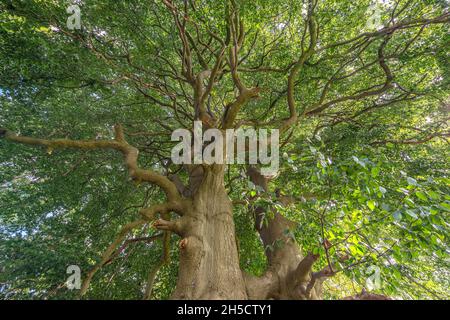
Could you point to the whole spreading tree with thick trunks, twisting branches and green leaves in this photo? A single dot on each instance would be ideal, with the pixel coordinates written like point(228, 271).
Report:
point(361, 199)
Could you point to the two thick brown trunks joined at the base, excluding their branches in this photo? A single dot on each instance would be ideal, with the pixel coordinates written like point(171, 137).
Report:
point(209, 263)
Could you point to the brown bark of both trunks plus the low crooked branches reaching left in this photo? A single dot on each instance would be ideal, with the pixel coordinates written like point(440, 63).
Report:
point(209, 262)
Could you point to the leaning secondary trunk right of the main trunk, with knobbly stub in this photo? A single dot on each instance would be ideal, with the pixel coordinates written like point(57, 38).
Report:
point(289, 273)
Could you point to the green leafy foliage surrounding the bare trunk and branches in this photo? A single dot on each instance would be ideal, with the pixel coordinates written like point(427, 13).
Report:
point(378, 201)
